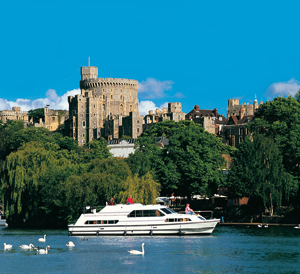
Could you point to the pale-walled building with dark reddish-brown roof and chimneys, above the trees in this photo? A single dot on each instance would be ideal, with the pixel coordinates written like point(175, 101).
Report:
point(211, 120)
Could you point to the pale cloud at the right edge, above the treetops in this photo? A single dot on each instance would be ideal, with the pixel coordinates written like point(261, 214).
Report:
point(285, 88)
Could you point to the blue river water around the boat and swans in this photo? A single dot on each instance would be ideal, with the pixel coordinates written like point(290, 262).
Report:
point(228, 250)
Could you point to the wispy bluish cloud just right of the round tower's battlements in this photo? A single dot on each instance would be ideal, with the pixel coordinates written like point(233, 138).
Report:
point(152, 88)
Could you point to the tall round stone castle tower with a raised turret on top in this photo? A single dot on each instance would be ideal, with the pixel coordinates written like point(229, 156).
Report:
point(100, 99)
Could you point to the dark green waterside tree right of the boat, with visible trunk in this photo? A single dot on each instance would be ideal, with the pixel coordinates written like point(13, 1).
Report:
point(257, 172)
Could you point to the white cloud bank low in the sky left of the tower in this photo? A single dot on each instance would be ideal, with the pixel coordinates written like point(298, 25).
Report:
point(52, 99)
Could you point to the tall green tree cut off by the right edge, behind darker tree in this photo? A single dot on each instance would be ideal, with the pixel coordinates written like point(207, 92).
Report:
point(280, 120)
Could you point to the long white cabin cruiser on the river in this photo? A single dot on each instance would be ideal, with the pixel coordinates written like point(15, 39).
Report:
point(138, 219)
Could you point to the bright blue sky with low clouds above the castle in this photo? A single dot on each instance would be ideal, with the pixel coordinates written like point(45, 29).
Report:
point(194, 52)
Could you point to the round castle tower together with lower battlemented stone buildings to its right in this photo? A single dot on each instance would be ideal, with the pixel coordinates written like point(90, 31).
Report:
point(108, 107)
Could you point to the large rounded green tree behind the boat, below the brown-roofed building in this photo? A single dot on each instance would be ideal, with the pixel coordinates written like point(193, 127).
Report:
point(190, 164)
